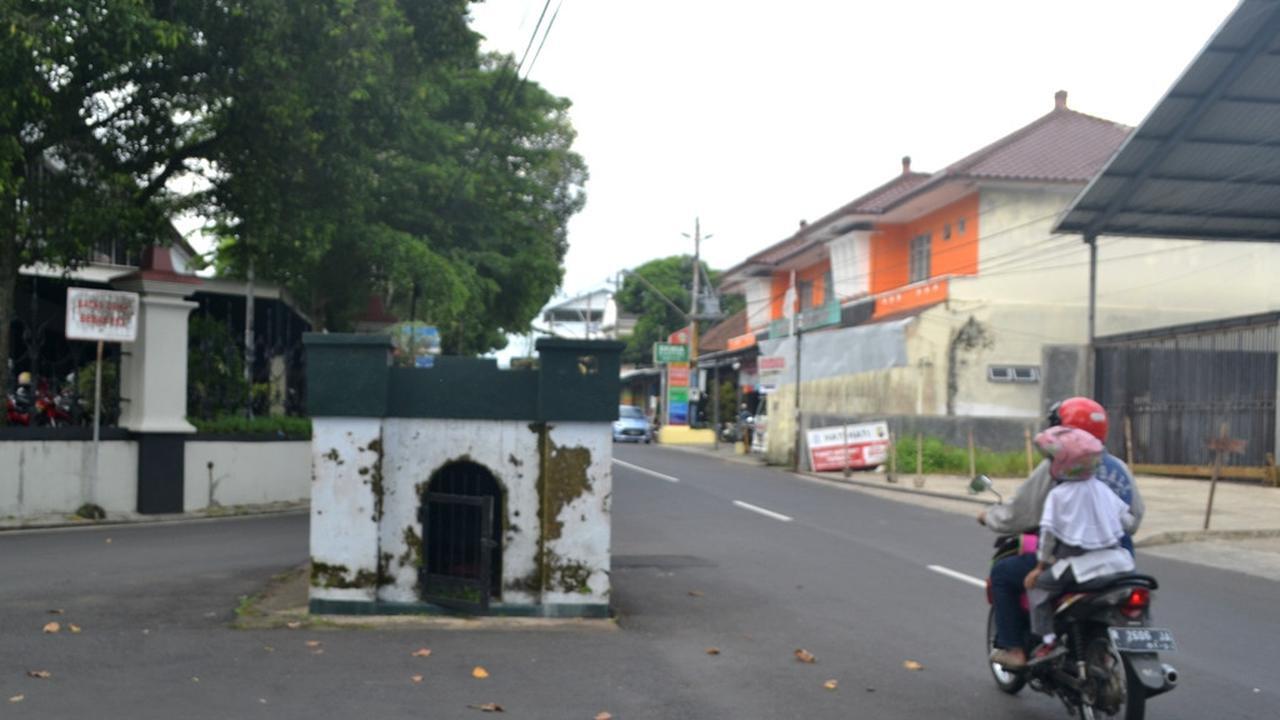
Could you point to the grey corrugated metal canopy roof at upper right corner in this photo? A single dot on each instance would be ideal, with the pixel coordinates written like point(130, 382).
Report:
point(1206, 162)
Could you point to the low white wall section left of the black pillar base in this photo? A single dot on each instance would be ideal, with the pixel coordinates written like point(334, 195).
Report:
point(49, 477)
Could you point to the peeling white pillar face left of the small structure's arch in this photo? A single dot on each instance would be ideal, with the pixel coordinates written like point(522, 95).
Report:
point(345, 461)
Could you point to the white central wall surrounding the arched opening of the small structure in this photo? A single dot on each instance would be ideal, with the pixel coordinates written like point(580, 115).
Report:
point(418, 448)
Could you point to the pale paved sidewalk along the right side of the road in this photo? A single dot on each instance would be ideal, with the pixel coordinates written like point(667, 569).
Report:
point(1176, 507)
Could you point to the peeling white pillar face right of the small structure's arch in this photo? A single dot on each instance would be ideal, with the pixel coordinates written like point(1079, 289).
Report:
point(579, 557)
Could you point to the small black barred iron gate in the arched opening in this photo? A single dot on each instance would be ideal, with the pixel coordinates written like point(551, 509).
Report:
point(458, 552)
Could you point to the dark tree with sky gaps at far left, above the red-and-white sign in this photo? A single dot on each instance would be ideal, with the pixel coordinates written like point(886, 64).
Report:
point(94, 113)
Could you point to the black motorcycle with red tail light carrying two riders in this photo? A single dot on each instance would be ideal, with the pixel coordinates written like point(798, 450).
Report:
point(1112, 664)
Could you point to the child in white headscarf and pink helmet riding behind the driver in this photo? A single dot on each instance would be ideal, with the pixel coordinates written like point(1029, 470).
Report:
point(1081, 528)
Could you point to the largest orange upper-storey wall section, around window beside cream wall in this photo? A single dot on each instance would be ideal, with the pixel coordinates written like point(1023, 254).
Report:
point(892, 245)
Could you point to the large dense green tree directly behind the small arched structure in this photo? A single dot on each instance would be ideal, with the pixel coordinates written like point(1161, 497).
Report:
point(385, 154)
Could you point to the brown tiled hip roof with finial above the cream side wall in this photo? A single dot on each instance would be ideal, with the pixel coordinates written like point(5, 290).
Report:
point(1062, 147)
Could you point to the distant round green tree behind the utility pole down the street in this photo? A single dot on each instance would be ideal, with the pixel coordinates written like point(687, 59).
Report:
point(669, 280)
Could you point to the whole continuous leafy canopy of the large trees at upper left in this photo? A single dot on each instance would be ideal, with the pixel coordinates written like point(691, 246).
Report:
point(345, 148)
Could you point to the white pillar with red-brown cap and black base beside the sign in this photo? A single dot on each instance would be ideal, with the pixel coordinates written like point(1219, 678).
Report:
point(154, 380)
